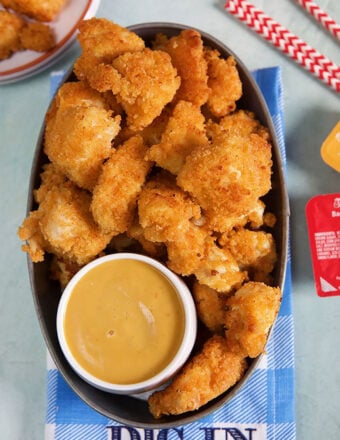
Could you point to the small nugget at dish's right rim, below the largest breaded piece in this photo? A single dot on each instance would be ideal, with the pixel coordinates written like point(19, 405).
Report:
point(254, 251)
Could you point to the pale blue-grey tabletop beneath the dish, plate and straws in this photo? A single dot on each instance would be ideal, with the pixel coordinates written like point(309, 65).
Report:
point(311, 111)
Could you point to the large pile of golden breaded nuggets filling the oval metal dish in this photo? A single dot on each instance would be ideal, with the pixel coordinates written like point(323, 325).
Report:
point(148, 151)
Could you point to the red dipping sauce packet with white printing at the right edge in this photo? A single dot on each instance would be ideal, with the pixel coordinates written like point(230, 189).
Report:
point(323, 221)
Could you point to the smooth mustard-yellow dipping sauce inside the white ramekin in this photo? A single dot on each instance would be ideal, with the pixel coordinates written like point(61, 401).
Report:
point(124, 321)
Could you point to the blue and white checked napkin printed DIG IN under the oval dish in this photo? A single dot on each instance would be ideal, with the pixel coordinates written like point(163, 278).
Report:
point(262, 410)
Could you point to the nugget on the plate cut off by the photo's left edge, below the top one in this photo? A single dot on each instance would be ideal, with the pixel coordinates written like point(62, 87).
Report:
point(10, 28)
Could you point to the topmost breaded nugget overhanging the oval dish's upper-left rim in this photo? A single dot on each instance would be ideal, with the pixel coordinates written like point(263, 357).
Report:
point(101, 42)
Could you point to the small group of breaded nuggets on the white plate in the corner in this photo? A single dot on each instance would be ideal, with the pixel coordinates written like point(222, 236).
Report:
point(24, 25)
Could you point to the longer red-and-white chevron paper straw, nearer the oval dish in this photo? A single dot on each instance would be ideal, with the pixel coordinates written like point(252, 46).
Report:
point(294, 47)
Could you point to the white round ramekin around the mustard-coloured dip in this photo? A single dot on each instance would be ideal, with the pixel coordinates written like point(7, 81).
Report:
point(185, 348)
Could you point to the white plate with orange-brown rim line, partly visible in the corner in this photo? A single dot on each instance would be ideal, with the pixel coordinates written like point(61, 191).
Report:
point(26, 63)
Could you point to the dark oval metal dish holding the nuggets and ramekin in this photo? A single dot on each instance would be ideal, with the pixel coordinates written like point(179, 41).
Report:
point(46, 293)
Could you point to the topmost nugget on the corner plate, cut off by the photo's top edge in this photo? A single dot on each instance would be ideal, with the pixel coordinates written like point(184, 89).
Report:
point(40, 10)
